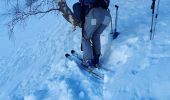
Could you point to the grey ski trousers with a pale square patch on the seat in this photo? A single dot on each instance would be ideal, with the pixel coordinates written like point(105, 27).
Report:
point(95, 23)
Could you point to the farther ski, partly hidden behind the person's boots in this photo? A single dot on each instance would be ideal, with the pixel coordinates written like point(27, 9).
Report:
point(74, 53)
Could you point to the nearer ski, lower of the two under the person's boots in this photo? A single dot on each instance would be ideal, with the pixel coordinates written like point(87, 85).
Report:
point(91, 71)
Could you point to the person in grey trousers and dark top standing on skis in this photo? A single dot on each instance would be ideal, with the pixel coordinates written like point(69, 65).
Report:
point(95, 17)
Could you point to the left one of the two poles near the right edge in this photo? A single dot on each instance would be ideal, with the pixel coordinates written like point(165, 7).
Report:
point(153, 12)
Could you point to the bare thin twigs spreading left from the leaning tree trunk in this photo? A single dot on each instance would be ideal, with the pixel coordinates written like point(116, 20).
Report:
point(21, 10)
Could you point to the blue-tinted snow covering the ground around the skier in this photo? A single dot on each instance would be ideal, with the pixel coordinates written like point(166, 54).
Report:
point(36, 68)
